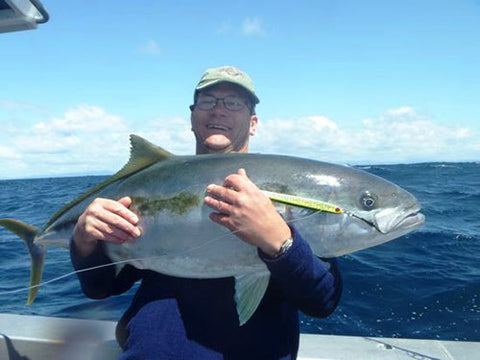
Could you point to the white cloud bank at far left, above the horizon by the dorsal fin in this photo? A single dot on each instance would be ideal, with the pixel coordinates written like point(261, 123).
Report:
point(84, 138)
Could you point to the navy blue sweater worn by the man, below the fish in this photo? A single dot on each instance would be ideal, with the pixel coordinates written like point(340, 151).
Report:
point(177, 318)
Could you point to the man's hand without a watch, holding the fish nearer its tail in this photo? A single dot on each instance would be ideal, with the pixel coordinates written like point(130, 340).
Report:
point(105, 220)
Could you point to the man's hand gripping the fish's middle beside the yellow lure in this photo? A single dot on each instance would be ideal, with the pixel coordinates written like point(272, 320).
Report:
point(245, 210)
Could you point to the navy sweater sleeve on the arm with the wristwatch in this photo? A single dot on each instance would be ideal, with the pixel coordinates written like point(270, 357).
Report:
point(314, 285)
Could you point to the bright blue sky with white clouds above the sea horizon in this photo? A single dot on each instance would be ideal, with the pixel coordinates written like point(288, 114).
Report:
point(355, 82)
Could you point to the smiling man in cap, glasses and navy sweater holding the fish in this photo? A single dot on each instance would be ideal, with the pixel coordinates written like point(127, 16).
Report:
point(176, 318)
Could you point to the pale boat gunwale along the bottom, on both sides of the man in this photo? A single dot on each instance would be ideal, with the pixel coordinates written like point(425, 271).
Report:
point(37, 338)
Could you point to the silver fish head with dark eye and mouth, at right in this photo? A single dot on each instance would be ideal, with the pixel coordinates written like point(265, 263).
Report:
point(374, 211)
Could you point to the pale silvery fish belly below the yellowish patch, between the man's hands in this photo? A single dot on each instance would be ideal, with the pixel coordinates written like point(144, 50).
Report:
point(190, 247)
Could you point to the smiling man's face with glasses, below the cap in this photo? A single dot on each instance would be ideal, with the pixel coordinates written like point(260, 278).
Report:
point(220, 130)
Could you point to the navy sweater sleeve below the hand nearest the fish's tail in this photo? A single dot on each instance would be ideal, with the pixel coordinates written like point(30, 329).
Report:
point(98, 276)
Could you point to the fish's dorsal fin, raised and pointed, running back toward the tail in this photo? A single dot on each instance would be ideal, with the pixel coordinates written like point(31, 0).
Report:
point(142, 154)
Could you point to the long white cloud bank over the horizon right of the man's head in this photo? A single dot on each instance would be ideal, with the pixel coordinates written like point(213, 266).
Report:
point(397, 135)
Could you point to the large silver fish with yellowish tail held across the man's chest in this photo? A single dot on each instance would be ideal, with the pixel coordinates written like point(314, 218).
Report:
point(337, 209)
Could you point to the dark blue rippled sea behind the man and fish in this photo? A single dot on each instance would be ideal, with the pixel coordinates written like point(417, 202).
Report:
point(423, 285)
